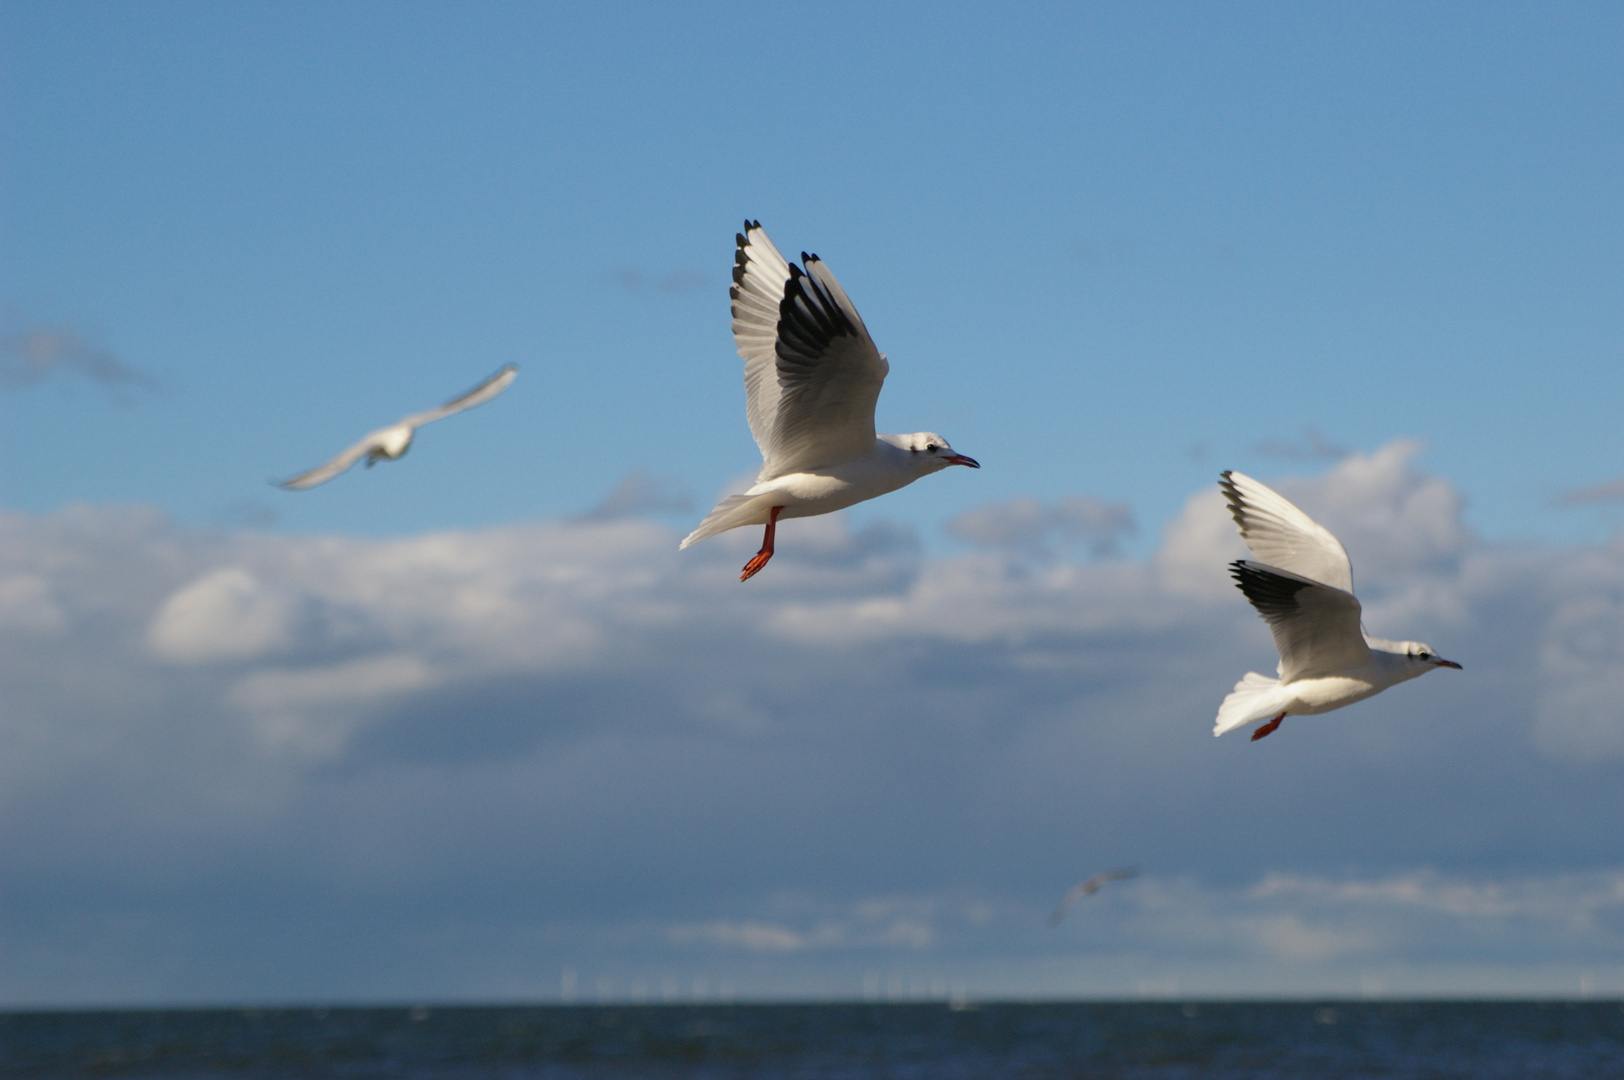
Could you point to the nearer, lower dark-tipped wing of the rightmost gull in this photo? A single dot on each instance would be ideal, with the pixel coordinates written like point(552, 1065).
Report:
point(1316, 626)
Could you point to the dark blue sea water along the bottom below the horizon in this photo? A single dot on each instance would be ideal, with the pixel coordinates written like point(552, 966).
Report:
point(1129, 1042)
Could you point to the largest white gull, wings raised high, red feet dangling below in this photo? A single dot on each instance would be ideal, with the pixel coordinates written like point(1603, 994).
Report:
point(811, 378)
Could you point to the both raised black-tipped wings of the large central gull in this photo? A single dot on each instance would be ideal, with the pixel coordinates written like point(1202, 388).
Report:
point(813, 386)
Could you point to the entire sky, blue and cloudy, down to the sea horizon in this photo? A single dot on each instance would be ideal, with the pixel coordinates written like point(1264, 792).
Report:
point(1110, 251)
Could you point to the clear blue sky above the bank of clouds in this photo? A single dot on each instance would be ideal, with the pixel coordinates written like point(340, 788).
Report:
point(1107, 249)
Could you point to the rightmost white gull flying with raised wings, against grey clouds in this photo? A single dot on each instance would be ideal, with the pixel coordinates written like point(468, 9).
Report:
point(1303, 589)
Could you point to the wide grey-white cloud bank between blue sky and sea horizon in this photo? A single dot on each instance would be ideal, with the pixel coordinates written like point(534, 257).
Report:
point(259, 767)
